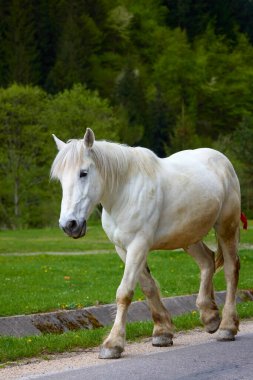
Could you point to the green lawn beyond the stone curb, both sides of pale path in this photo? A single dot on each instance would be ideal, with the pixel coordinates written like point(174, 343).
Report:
point(38, 283)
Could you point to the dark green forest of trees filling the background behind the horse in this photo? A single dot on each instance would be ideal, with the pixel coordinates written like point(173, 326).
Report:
point(164, 74)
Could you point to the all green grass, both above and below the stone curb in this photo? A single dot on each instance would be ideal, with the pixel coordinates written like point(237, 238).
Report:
point(41, 283)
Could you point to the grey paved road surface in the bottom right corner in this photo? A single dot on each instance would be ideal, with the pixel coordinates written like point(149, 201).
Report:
point(209, 361)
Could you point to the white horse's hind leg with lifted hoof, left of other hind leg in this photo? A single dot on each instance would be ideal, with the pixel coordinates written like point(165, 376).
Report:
point(209, 312)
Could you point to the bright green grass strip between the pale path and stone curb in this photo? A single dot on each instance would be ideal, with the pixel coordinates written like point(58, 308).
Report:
point(44, 283)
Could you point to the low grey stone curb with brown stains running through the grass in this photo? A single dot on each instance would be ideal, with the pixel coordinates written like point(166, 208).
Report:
point(99, 316)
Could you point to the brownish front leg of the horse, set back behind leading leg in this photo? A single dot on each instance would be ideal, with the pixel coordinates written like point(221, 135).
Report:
point(163, 328)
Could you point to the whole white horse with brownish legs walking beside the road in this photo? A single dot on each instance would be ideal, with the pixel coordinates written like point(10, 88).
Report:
point(151, 203)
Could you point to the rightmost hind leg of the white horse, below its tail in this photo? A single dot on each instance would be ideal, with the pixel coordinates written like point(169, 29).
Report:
point(228, 236)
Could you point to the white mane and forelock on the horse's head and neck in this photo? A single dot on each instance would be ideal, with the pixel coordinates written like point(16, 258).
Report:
point(114, 161)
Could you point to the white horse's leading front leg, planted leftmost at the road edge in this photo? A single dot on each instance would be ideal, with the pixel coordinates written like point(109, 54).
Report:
point(113, 346)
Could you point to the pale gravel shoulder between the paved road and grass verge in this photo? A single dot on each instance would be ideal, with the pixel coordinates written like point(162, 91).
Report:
point(58, 363)
